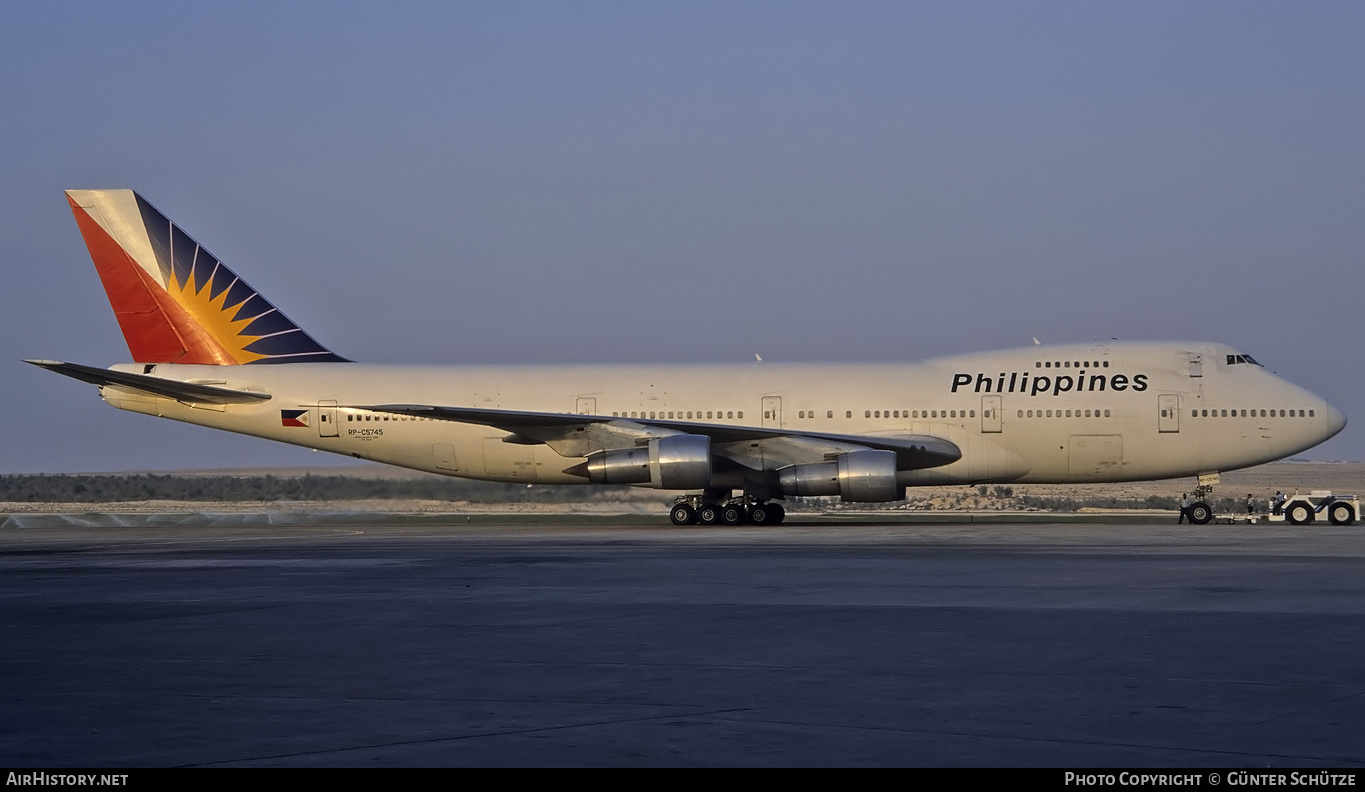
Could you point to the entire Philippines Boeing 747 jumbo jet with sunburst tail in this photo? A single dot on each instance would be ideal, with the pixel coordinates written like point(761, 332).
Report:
point(734, 439)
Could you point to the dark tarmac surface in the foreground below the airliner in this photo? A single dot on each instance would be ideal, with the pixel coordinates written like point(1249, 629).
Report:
point(590, 641)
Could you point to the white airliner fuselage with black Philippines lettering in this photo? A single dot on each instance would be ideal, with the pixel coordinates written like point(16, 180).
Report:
point(1042, 414)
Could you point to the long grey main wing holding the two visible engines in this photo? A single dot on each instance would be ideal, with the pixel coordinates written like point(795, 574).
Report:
point(574, 435)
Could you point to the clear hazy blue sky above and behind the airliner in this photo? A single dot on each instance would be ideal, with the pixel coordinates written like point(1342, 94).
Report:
point(586, 182)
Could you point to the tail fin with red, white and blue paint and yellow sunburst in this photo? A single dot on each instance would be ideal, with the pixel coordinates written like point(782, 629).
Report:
point(175, 302)
